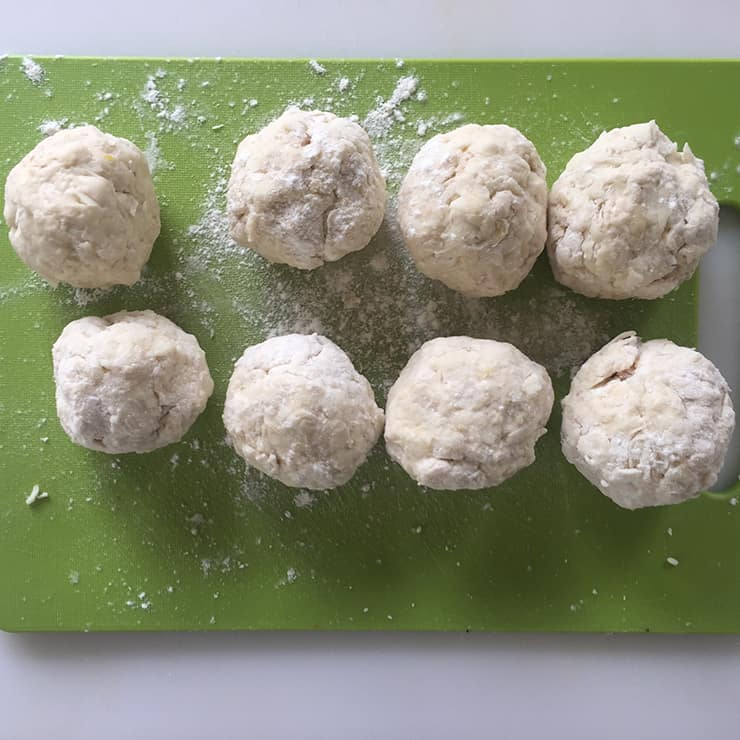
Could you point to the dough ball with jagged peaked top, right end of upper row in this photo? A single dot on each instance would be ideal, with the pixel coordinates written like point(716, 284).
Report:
point(631, 216)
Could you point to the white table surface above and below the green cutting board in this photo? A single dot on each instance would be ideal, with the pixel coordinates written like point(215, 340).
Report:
point(308, 685)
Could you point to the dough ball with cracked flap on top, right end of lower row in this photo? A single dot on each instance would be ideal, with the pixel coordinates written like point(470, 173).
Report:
point(648, 424)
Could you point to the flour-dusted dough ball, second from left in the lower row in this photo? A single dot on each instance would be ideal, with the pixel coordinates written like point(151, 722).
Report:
point(297, 409)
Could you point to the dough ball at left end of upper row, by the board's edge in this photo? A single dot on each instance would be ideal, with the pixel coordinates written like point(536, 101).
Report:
point(81, 209)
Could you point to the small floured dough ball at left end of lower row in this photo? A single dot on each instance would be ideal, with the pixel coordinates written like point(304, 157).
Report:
point(129, 382)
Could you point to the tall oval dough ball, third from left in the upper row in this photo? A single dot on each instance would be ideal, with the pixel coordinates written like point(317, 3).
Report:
point(472, 209)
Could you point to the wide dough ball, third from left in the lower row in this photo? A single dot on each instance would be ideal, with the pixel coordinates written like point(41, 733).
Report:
point(466, 413)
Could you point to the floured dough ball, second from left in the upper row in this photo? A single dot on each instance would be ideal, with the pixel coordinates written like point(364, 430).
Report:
point(305, 190)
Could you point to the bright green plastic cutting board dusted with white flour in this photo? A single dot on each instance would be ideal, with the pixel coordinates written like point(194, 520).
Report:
point(187, 537)
